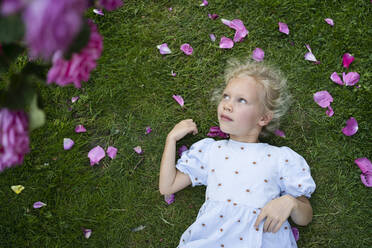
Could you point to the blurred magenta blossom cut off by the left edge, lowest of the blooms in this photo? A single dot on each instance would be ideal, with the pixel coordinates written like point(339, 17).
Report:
point(14, 139)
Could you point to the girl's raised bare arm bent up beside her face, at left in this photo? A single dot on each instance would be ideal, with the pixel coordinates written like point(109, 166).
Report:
point(172, 180)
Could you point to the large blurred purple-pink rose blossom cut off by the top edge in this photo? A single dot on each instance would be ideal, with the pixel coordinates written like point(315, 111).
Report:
point(52, 25)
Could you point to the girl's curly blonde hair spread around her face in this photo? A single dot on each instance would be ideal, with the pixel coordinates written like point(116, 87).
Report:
point(276, 98)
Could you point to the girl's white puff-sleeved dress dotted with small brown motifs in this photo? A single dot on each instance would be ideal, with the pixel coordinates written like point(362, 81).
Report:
point(241, 178)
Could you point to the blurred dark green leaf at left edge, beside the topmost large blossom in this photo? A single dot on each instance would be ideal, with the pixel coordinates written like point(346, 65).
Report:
point(12, 29)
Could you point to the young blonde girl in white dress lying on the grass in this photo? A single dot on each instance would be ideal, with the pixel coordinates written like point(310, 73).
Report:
point(252, 187)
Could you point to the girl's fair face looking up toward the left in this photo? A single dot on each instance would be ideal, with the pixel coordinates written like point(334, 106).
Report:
point(241, 112)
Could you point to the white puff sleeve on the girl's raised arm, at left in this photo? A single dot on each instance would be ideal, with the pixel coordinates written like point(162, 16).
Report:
point(194, 162)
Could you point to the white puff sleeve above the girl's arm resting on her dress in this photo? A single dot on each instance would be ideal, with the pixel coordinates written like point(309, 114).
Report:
point(295, 177)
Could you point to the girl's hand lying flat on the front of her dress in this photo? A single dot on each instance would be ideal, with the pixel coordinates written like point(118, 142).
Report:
point(276, 213)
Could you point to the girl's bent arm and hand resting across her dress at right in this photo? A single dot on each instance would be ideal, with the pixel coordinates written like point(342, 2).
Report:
point(278, 210)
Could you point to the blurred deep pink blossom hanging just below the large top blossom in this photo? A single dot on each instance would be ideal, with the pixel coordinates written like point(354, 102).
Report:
point(78, 68)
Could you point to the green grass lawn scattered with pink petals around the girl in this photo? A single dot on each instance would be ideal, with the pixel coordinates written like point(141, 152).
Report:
point(132, 88)
